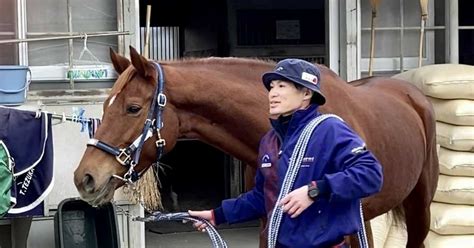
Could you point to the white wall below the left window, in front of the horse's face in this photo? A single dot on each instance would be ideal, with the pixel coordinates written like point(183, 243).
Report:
point(69, 145)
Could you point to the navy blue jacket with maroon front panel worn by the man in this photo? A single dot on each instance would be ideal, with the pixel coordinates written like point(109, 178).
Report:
point(336, 158)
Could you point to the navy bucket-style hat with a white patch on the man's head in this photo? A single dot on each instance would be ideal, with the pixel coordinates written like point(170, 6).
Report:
point(300, 72)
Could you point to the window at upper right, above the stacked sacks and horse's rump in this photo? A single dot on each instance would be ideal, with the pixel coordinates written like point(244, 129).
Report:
point(397, 35)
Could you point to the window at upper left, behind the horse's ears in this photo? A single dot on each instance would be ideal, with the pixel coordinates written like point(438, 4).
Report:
point(46, 25)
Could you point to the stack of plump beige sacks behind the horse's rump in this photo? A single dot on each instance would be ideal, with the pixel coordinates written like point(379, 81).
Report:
point(450, 88)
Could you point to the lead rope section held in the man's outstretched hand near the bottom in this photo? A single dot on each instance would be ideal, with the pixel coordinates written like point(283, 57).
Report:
point(216, 239)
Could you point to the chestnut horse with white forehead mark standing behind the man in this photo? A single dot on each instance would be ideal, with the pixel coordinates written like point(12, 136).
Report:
point(221, 101)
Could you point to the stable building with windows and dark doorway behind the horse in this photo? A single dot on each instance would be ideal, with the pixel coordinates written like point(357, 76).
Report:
point(66, 45)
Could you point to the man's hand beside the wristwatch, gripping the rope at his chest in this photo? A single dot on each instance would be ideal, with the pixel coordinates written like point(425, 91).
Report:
point(296, 201)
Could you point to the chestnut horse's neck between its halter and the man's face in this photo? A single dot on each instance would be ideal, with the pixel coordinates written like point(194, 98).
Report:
point(221, 107)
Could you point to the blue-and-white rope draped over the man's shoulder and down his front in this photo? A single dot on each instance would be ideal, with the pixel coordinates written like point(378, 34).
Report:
point(290, 177)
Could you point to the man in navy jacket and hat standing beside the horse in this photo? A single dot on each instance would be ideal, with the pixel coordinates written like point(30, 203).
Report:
point(336, 171)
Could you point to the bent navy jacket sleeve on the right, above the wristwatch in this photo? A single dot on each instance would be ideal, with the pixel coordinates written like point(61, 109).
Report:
point(358, 173)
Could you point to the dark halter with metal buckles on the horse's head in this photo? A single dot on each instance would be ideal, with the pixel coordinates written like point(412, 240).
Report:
point(130, 156)
